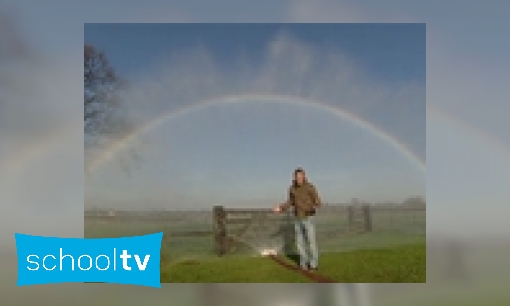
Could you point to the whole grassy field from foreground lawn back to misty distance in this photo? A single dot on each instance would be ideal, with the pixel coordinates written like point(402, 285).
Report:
point(394, 251)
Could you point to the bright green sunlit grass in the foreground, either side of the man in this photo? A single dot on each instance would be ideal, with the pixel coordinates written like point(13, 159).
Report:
point(404, 264)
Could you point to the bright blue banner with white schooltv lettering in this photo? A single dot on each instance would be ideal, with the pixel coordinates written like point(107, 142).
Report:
point(126, 260)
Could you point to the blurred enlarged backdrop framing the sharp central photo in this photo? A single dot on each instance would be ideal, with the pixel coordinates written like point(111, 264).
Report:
point(466, 64)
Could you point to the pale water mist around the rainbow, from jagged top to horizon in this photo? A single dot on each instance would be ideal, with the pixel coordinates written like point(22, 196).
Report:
point(194, 77)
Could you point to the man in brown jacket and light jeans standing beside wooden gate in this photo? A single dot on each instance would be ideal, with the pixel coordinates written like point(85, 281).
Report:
point(304, 199)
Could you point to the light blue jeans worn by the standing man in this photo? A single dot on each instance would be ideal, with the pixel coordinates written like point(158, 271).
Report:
point(305, 236)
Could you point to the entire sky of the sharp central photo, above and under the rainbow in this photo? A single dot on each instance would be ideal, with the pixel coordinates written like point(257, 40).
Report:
point(243, 154)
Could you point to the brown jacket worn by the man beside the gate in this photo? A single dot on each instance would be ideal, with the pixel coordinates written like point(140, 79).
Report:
point(304, 198)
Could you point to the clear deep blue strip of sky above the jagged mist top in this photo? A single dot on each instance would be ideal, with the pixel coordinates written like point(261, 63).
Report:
point(392, 52)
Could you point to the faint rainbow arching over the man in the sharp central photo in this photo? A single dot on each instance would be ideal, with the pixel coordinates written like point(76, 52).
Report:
point(110, 152)
